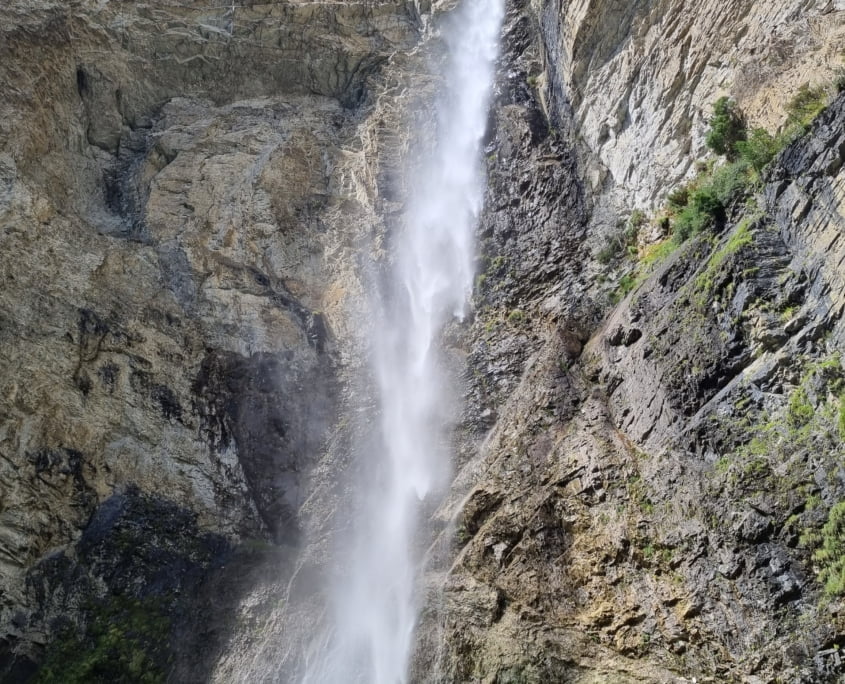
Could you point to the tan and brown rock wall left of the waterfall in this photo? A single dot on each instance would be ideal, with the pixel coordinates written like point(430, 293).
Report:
point(183, 194)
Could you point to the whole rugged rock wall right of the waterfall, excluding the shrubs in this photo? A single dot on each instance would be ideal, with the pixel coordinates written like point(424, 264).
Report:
point(640, 507)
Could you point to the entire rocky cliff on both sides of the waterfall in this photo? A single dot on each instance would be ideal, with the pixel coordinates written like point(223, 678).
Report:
point(190, 212)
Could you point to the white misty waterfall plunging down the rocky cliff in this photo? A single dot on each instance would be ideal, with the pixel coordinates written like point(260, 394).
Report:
point(375, 607)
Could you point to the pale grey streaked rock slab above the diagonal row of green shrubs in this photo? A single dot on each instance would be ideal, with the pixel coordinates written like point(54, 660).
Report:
point(638, 78)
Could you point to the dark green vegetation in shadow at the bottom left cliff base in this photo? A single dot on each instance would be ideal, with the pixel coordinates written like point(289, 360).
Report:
point(126, 641)
